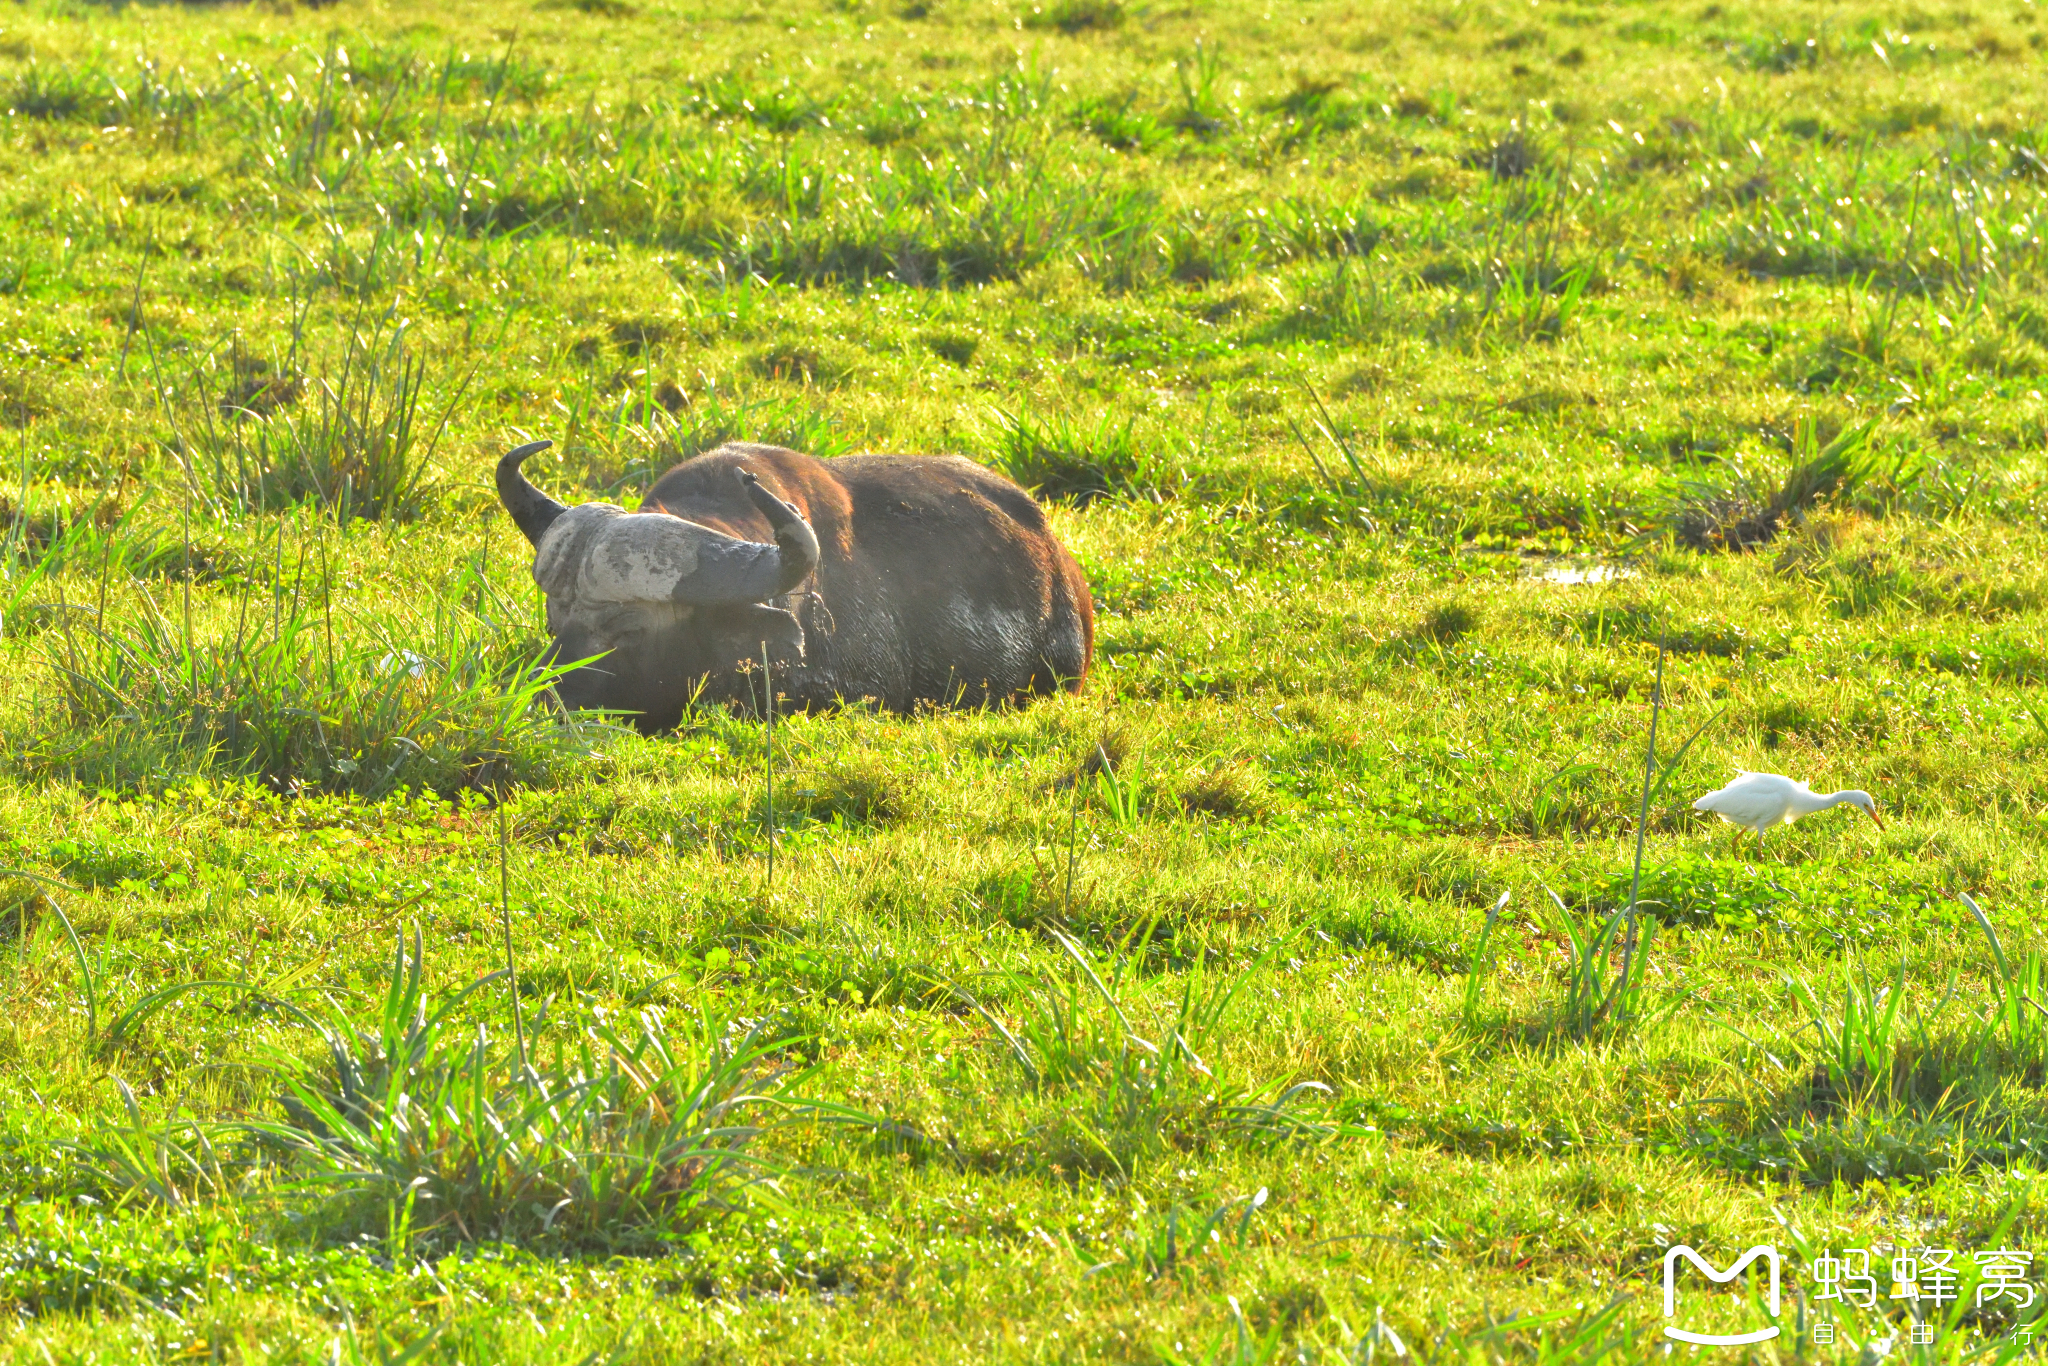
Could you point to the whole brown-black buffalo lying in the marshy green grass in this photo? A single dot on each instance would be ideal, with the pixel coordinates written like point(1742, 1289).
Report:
point(908, 581)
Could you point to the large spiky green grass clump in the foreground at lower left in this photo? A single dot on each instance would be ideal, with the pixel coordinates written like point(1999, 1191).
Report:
point(632, 1132)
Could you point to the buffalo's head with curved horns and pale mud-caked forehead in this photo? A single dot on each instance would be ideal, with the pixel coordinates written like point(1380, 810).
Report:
point(658, 605)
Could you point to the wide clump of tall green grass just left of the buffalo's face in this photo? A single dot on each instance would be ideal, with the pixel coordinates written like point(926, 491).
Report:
point(445, 701)
